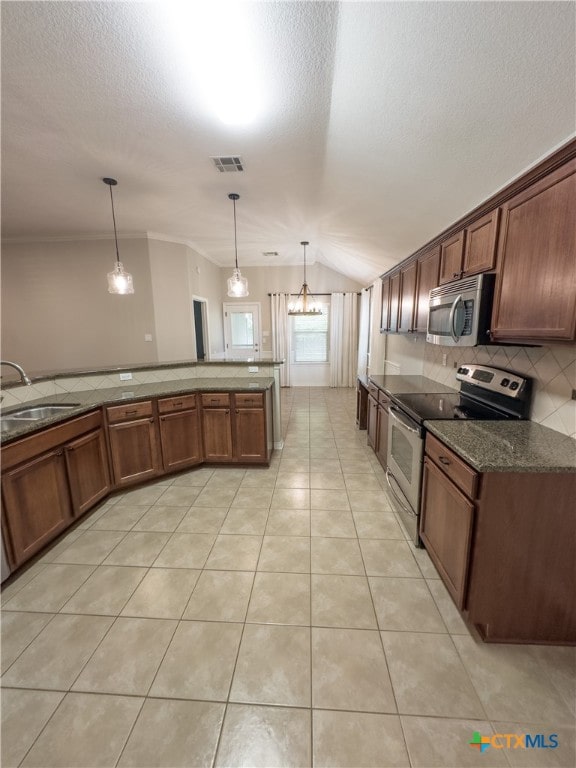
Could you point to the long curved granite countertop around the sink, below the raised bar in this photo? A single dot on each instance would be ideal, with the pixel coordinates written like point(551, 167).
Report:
point(85, 401)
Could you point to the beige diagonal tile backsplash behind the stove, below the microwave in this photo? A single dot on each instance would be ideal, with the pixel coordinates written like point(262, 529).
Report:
point(553, 370)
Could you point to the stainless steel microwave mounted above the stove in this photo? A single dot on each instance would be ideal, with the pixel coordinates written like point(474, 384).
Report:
point(459, 313)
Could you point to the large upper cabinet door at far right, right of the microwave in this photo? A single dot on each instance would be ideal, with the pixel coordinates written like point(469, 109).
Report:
point(536, 283)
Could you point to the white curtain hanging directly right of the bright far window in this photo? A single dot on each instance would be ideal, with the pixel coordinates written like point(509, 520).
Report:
point(343, 339)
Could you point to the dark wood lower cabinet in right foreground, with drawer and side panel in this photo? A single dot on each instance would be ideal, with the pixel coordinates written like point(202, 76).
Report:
point(504, 543)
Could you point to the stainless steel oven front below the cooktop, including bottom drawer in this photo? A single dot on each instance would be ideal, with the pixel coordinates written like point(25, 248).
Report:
point(404, 472)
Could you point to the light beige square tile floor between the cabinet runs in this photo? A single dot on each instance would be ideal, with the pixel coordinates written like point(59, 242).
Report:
point(264, 617)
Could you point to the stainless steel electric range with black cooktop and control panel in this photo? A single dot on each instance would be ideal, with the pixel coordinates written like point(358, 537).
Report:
point(486, 393)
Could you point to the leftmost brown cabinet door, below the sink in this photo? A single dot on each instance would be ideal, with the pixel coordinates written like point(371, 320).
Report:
point(36, 504)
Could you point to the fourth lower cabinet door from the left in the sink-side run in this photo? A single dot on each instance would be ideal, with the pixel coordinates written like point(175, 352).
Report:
point(180, 439)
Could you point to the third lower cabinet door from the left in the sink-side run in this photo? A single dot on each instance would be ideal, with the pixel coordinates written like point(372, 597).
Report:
point(134, 451)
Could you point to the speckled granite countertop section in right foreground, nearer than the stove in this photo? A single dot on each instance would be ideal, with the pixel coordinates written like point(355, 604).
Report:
point(507, 446)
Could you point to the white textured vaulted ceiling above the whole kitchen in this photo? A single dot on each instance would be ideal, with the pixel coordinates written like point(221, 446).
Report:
point(376, 124)
